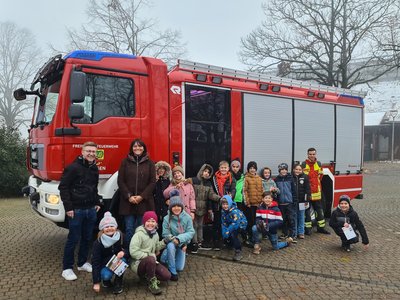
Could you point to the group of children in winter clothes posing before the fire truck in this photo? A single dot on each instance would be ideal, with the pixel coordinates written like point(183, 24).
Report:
point(240, 206)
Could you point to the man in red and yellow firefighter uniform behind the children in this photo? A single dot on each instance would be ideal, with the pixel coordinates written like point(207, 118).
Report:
point(312, 167)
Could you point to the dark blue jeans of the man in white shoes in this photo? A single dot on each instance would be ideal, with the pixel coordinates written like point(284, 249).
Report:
point(80, 231)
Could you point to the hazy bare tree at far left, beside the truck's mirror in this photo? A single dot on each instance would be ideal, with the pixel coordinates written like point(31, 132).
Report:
point(18, 62)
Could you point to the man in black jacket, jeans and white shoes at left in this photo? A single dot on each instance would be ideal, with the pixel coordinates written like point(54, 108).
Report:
point(78, 191)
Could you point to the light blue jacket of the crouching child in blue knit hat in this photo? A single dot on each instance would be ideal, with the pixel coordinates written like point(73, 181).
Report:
point(180, 227)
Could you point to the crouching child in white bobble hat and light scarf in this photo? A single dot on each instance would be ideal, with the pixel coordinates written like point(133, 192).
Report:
point(107, 244)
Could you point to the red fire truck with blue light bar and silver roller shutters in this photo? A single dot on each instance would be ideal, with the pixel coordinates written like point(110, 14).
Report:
point(193, 114)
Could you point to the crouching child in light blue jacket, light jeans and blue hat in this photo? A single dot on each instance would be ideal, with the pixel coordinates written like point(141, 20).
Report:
point(178, 228)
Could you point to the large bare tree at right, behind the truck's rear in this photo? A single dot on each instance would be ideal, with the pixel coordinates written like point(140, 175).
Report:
point(334, 42)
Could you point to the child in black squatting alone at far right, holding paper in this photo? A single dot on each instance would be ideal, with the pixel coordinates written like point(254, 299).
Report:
point(344, 216)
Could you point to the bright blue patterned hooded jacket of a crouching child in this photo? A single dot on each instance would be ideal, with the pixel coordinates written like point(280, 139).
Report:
point(232, 219)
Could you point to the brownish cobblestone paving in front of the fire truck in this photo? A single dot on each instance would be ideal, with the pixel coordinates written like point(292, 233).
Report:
point(31, 252)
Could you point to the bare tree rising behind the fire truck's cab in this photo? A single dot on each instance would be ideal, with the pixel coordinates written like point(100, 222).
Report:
point(118, 26)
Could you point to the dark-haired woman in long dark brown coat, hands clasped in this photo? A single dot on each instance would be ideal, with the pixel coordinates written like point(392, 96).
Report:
point(136, 182)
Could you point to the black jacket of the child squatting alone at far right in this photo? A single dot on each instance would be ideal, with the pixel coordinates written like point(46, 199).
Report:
point(338, 218)
